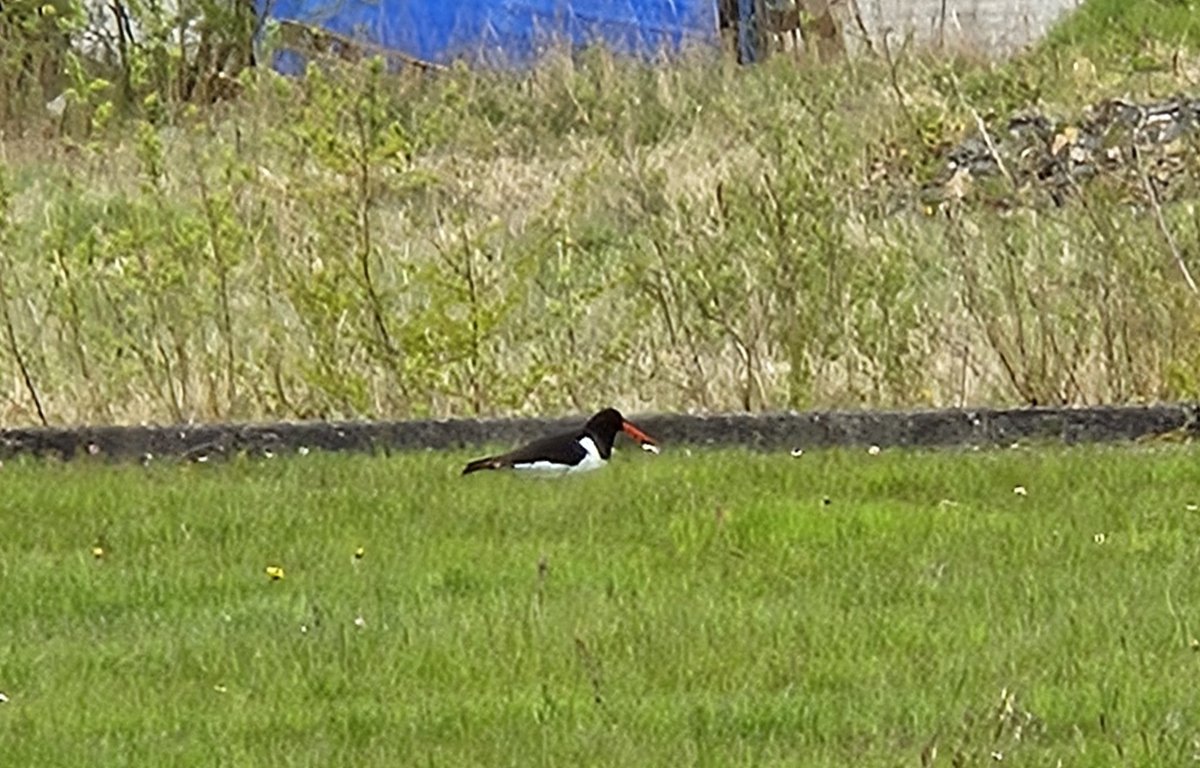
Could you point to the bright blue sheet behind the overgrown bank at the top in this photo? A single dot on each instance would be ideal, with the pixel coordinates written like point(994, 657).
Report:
point(507, 32)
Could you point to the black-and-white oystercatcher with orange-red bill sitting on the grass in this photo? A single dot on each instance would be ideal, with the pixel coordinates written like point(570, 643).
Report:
point(569, 452)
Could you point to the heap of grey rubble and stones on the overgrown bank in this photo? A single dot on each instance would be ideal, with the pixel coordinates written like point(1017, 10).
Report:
point(1154, 145)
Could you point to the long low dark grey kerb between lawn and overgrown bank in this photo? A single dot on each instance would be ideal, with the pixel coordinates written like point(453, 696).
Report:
point(765, 431)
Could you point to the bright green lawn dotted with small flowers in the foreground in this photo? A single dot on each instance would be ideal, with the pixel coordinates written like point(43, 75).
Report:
point(706, 609)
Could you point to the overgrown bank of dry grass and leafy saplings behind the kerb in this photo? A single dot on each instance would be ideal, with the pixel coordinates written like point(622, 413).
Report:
point(695, 237)
